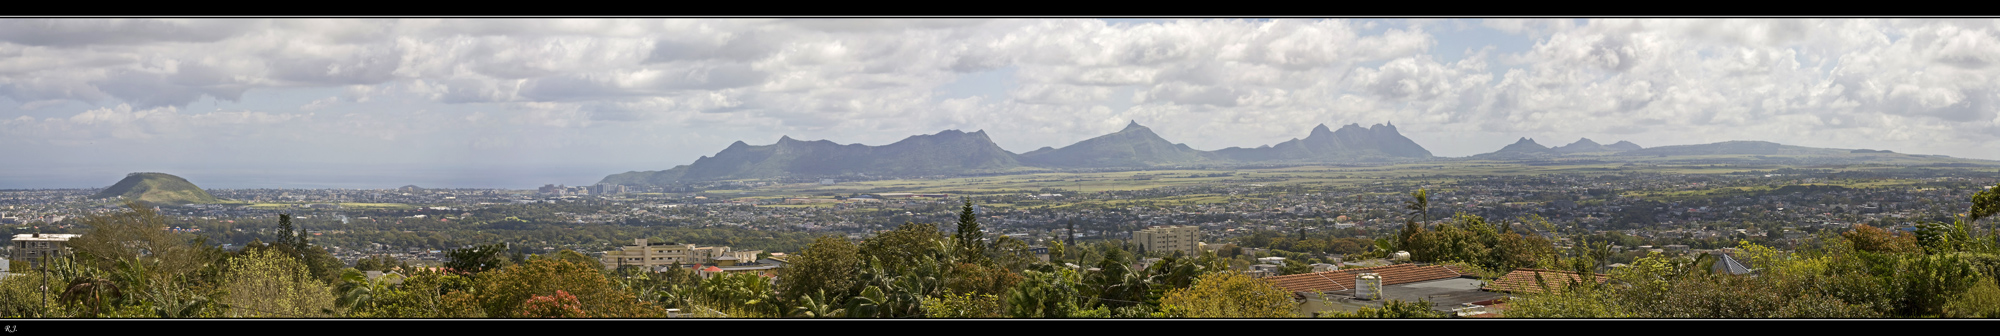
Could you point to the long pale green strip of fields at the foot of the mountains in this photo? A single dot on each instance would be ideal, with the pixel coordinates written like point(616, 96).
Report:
point(1431, 175)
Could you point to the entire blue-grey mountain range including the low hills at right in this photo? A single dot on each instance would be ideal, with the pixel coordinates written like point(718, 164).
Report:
point(955, 153)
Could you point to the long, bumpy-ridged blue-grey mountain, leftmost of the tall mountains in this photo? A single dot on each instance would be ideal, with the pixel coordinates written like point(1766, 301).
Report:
point(945, 153)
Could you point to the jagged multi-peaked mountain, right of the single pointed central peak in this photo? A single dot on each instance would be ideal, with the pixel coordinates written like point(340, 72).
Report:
point(1325, 145)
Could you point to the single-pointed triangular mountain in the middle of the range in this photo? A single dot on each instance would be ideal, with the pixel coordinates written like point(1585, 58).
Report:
point(1135, 147)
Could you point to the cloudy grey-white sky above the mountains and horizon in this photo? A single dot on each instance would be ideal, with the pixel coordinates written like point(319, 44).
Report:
point(527, 103)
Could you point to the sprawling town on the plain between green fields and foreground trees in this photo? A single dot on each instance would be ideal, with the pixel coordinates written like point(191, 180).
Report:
point(1669, 213)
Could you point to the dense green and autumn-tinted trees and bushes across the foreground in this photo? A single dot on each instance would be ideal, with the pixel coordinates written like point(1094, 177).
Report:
point(129, 267)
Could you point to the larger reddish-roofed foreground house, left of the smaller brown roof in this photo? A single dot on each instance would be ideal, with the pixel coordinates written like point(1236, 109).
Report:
point(1445, 287)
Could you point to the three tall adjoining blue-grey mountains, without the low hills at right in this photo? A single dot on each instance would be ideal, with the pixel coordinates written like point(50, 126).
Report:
point(969, 153)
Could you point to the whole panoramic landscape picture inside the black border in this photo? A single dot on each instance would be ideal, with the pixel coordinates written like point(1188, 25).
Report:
point(1041, 169)
